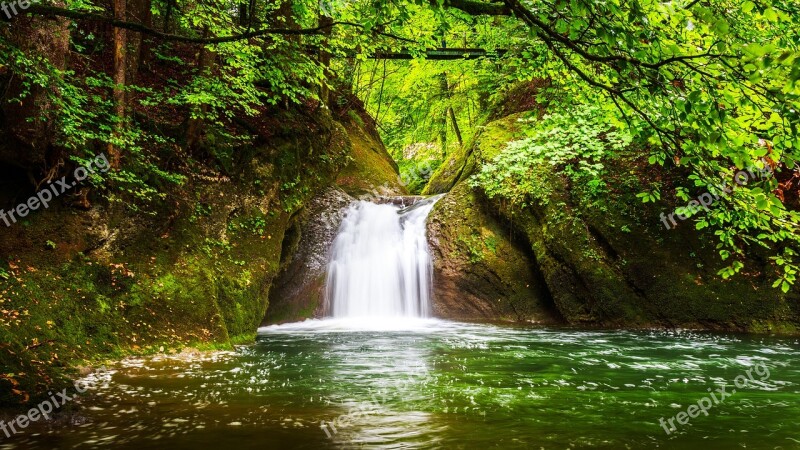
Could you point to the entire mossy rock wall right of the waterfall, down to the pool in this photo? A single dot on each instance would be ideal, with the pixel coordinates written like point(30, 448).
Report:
point(602, 261)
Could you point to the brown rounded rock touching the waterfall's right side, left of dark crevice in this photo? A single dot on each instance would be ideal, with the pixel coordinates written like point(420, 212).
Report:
point(480, 273)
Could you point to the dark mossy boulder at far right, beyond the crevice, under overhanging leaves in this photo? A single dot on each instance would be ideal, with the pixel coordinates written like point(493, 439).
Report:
point(609, 261)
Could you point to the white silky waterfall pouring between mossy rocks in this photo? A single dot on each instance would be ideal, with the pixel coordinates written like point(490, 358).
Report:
point(380, 262)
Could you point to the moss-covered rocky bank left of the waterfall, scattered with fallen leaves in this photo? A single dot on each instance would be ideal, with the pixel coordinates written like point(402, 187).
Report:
point(196, 268)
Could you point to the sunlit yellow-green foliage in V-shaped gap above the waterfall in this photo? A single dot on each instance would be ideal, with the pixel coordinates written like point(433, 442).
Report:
point(439, 103)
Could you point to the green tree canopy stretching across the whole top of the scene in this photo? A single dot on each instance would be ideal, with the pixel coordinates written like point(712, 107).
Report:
point(705, 87)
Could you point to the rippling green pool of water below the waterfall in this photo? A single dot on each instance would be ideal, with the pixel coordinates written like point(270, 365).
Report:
point(432, 384)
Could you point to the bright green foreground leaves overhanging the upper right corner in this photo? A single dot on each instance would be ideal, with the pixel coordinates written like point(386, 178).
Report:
point(709, 86)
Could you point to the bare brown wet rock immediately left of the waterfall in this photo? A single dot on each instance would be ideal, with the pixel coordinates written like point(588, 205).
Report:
point(299, 290)
